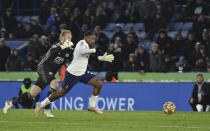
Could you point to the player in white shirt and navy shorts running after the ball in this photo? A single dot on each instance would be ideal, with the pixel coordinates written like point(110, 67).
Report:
point(77, 72)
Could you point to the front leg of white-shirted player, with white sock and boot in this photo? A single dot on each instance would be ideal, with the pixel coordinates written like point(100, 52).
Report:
point(97, 84)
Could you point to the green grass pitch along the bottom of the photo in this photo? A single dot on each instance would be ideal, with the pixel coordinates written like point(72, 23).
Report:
point(24, 120)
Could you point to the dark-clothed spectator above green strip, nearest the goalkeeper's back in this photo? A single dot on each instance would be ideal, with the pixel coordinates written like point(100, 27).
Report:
point(29, 64)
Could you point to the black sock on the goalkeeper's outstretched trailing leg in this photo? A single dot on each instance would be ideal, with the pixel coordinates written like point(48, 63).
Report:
point(23, 97)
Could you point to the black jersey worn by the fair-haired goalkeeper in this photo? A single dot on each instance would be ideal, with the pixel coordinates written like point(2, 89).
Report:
point(55, 58)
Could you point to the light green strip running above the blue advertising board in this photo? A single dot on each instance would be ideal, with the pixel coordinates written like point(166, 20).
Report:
point(122, 76)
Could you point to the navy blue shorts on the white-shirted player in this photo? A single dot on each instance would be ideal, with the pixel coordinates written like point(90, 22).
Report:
point(70, 80)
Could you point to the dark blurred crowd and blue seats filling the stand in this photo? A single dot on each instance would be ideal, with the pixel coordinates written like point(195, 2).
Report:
point(143, 35)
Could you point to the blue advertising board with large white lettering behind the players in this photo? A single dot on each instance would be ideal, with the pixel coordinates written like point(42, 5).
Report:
point(115, 96)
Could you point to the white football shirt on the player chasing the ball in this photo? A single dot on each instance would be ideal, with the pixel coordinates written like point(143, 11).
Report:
point(79, 63)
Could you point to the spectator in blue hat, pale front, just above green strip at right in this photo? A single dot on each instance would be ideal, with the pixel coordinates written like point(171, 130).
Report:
point(182, 65)
